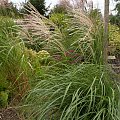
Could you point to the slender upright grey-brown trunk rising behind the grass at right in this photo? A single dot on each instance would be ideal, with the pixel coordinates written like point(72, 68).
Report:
point(106, 33)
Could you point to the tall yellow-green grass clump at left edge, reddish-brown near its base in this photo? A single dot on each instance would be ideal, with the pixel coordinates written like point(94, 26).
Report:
point(14, 67)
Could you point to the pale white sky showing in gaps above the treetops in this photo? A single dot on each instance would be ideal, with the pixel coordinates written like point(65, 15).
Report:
point(97, 3)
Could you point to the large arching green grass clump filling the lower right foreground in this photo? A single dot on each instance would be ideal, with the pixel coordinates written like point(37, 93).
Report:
point(83, 92)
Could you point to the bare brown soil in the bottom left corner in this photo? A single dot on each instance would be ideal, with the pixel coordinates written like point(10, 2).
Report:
point(9, 114)
